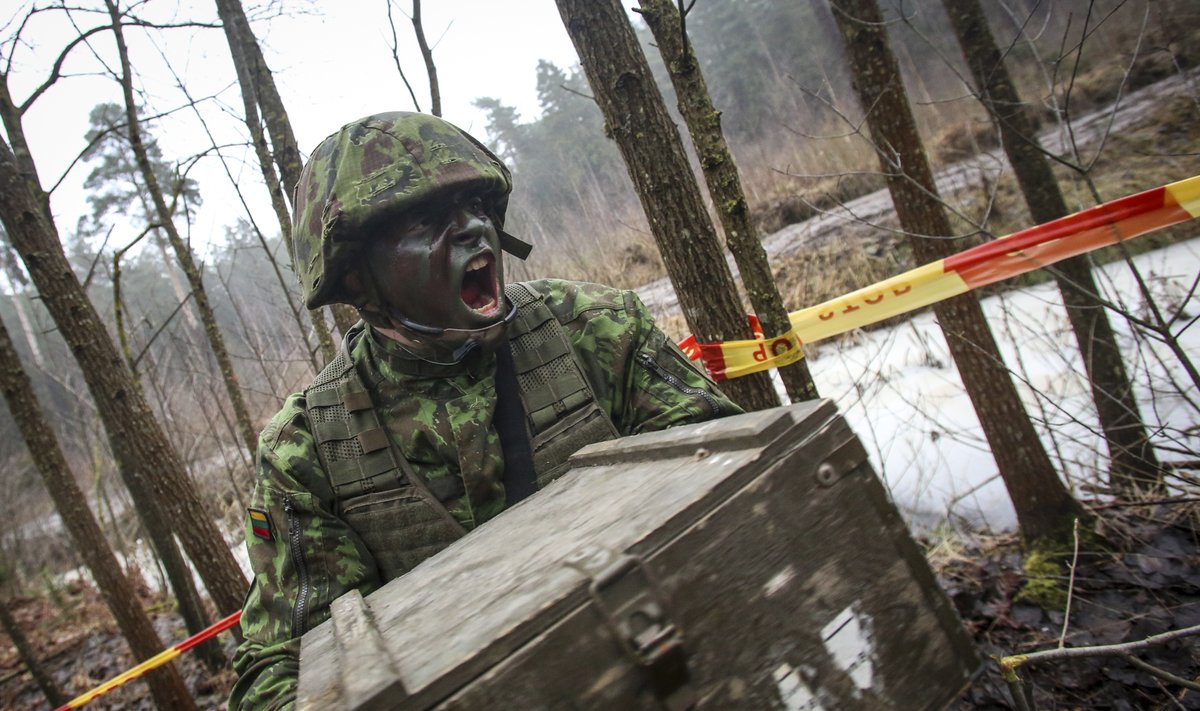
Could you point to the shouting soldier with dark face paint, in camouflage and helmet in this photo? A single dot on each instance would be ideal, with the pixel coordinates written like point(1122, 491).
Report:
point(453, 399)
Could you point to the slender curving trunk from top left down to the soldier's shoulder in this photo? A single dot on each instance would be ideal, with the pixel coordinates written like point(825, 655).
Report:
point(183, 253)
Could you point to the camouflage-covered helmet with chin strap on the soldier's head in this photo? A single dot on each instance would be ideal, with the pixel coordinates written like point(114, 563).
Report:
point(376, 169)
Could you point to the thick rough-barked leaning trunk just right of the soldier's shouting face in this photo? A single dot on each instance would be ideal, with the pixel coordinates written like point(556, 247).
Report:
point(638, 120)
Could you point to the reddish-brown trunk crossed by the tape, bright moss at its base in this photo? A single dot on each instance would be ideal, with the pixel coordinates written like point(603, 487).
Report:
point(1045, 507)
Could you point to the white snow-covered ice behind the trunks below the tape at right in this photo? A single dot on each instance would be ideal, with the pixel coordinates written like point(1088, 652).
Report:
point(902, 395)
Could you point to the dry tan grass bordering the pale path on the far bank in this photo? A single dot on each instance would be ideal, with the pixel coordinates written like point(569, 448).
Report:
point(790, 181)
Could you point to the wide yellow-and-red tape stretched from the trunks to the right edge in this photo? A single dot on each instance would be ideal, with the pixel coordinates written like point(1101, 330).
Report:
point(1001, 259)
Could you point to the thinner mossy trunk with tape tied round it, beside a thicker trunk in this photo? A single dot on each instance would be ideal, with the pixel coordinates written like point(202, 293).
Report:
point(724, 183)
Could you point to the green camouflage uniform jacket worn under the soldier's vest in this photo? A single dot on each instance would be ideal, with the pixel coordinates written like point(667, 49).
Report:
point(441, 420)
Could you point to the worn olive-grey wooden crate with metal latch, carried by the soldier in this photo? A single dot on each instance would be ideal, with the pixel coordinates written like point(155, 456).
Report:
point(751, 563)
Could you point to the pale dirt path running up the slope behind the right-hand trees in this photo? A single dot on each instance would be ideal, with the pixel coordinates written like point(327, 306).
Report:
point(862, 213)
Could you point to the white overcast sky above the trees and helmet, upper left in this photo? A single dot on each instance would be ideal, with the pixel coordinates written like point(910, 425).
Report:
point(332, 61)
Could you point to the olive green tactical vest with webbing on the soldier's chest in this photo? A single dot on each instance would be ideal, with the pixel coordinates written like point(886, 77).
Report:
point(376, 491)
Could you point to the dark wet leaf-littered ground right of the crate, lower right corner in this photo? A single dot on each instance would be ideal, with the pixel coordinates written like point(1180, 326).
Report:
point(1145, 584)
